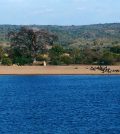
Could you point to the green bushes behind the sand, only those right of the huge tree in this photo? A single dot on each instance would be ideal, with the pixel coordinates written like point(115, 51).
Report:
point(59, 56)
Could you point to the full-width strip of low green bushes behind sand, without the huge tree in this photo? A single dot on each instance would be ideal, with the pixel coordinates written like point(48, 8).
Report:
point(57, 55)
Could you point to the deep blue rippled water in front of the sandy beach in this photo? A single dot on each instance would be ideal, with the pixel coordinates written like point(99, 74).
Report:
point(59, 104)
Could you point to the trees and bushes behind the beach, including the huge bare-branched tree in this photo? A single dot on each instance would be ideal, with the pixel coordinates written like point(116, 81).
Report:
point(31, 45)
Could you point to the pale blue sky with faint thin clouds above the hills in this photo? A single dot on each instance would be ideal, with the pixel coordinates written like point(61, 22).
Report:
point(59, 12)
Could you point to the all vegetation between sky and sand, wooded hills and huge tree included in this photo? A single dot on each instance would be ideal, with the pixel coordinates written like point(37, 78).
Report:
point(93, 44)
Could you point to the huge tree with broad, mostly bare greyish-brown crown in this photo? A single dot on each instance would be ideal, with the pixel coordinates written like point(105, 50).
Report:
point(28, 42)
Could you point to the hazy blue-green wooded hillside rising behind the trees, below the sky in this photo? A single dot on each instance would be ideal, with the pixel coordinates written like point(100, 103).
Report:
point(75, 36)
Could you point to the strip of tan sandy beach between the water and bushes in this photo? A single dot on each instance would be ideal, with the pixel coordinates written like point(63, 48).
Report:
point(56, 70)
